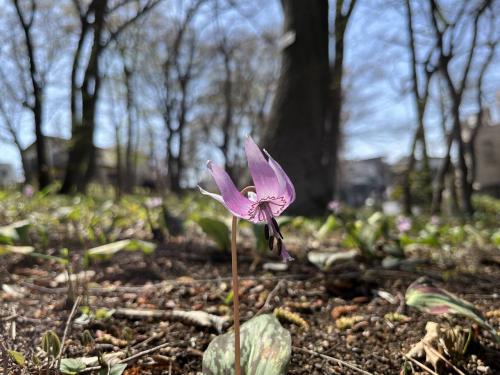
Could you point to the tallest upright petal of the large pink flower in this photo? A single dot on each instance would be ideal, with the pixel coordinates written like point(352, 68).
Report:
point(264, 178)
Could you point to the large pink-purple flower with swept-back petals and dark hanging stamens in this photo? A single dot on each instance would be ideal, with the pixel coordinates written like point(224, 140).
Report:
point(274, 192)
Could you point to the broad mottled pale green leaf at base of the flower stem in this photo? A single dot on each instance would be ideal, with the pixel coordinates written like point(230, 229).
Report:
point(266, 348)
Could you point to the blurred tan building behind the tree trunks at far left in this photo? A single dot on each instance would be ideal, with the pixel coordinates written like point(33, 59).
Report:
point(106, 161)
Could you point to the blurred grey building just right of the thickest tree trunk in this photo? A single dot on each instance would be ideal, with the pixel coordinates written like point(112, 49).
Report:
point(363, 179)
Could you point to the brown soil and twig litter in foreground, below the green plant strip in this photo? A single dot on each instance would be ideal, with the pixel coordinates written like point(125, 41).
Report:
point(184, 276)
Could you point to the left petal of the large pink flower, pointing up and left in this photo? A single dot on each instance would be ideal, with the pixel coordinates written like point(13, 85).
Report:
point(230, 197)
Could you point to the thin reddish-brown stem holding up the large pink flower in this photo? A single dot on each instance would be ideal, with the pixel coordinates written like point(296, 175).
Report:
point(236, 296)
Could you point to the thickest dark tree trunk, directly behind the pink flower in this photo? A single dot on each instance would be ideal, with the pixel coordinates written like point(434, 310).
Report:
point(297, 128)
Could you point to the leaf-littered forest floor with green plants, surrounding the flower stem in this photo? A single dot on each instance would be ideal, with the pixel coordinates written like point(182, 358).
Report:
point(131, 299)
